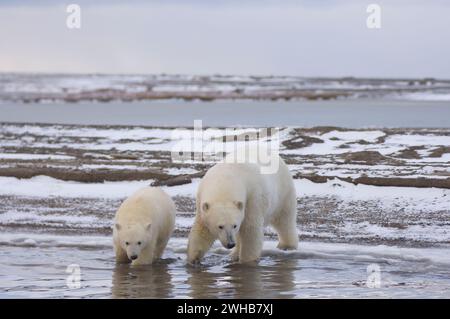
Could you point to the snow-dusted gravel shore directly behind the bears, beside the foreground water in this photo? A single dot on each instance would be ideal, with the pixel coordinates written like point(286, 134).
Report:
point(404, 216)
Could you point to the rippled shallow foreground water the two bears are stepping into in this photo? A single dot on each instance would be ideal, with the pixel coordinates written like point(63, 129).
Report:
point(40, 272)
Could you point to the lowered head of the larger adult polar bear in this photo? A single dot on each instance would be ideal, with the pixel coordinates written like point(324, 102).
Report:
point(223, 220)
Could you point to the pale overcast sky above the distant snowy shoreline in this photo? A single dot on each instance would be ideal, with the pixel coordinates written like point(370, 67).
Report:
point(306, 38)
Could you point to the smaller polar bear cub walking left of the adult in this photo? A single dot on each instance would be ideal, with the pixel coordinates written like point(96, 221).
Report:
point(143, 225)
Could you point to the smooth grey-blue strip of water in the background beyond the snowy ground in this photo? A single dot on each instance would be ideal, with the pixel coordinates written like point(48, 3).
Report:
point(345, 113)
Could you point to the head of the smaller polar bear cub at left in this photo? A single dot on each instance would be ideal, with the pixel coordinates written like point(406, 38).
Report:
point(134, 238)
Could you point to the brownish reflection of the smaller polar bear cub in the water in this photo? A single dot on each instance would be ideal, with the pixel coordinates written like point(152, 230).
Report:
point(142, 281)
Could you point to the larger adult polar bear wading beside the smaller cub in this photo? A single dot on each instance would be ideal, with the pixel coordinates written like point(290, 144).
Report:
point(235, 200)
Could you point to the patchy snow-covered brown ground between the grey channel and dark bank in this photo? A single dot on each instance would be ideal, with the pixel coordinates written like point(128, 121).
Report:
point(388, 153)
